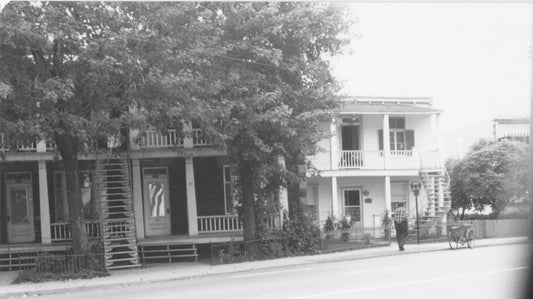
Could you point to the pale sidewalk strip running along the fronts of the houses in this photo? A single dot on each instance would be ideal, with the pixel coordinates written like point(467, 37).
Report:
point(178, 271)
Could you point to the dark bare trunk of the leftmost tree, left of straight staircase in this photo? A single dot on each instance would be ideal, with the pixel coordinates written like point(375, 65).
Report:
point(69, 154)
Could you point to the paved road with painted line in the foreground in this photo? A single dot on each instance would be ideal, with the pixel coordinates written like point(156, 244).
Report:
point(484, 272)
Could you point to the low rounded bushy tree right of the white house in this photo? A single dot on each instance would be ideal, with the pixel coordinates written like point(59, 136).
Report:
point(491, 174)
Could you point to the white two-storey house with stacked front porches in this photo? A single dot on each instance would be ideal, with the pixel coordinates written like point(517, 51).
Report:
point(377, 147)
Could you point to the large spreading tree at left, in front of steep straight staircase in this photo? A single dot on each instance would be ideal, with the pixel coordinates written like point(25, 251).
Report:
point(76, 72)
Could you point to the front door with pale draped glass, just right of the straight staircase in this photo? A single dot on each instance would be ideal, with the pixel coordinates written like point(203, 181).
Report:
point(156, 201)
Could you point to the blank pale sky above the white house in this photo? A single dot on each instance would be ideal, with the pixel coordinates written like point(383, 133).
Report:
point(472, 59)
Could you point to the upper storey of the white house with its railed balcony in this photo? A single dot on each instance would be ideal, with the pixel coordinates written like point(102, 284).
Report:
point(370, 135)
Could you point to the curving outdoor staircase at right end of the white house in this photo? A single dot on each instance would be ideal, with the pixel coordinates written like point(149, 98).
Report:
point(436, 184)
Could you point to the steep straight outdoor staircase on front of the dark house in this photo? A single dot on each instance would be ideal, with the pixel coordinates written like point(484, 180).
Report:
point(116, 213)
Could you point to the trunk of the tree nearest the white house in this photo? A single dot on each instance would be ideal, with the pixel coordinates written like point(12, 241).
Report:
point(246, 174)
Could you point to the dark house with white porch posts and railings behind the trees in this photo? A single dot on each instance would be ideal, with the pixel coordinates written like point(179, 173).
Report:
point(164, 200)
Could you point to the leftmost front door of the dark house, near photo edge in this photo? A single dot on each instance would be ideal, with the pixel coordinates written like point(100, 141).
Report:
point(20, 222)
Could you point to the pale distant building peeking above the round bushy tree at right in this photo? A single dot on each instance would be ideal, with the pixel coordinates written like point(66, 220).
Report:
point(512, 129)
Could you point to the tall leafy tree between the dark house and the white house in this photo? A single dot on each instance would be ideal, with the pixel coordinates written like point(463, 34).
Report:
point(278, 89)
